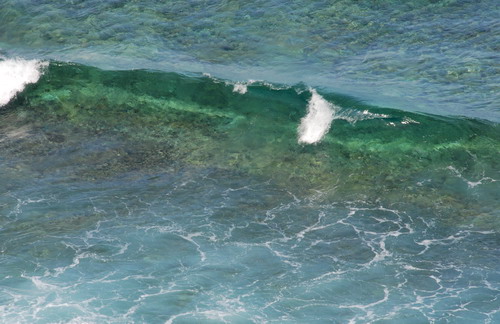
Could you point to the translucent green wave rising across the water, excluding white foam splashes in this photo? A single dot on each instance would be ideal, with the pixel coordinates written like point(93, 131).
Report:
point(96, 124)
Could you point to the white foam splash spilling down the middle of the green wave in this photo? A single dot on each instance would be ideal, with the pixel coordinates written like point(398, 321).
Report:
point(314, 126)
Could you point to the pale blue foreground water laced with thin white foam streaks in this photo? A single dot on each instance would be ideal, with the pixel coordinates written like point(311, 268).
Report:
point(241, 251)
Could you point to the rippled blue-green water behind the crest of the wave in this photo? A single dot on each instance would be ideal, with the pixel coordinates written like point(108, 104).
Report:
point(431, 56)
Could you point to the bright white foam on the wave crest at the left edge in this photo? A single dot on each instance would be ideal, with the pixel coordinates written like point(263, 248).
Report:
point(15, 74)
